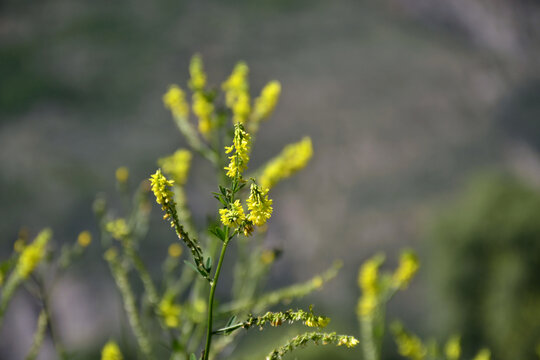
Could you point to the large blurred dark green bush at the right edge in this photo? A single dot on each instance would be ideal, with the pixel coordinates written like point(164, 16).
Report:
point(485, 263)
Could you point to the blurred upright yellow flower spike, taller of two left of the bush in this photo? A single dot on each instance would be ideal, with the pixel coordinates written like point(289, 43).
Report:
point(368, 280)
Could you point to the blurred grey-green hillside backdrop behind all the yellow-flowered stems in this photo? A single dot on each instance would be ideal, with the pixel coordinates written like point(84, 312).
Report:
point(425, 120)
